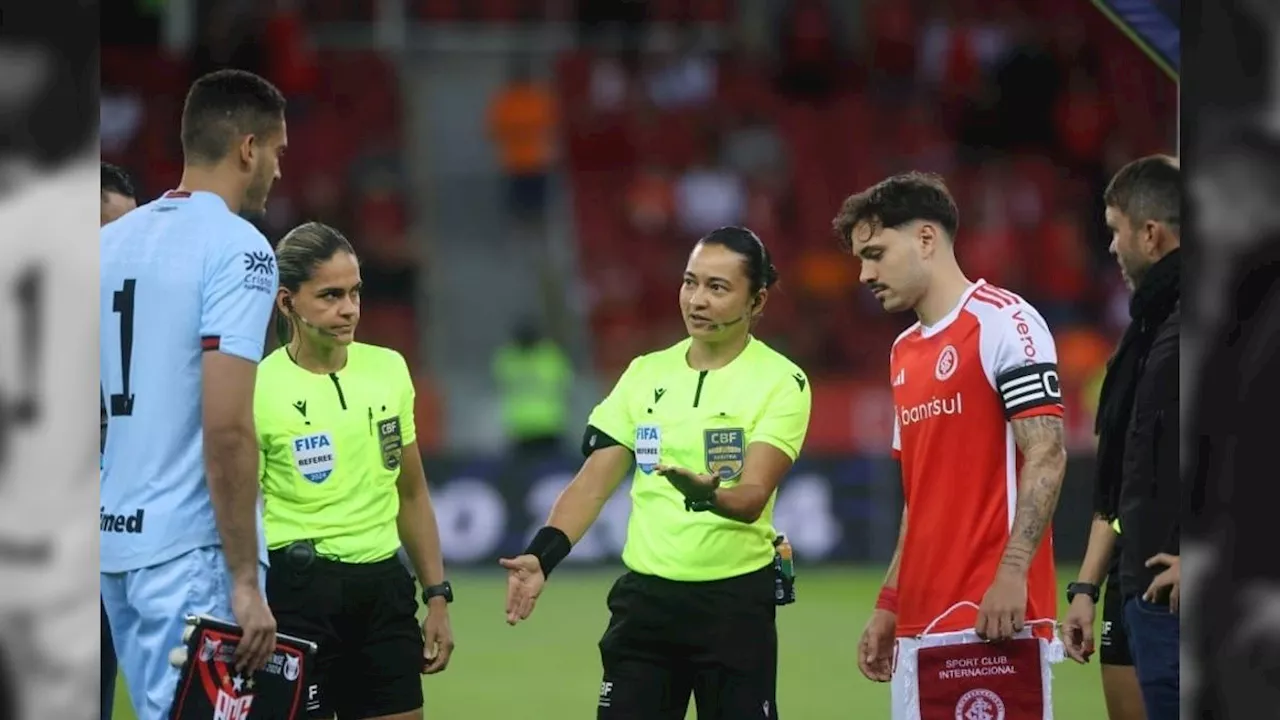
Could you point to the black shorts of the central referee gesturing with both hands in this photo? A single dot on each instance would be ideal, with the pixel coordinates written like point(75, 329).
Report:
point(669, 640)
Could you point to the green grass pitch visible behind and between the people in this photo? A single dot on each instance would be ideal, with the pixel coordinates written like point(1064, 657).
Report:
point(548, 667)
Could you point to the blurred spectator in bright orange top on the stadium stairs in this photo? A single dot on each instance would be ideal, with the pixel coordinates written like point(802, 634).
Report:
point(523, 124)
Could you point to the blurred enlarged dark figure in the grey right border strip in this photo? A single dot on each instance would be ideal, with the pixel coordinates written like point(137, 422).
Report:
point(1229, 508)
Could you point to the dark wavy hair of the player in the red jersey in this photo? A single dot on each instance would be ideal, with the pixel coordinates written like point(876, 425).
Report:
point(897, 202)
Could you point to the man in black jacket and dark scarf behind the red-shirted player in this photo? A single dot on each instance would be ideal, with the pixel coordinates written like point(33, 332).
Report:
point(1137, 490)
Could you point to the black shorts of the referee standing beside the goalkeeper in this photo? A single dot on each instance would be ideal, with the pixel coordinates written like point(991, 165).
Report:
point(364, 617)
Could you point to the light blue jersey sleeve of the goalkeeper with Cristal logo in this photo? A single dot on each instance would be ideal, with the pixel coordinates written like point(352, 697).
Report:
point(240, 289)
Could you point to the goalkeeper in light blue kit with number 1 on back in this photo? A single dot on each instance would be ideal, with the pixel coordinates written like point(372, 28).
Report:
point(188, 288)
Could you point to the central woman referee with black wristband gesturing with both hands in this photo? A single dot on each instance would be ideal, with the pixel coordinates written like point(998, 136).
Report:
point(712, 426)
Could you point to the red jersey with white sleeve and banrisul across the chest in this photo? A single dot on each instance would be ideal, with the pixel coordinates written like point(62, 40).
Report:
point(958, 386)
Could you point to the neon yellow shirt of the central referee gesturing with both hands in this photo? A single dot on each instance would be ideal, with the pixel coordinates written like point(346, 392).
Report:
point(668, 413)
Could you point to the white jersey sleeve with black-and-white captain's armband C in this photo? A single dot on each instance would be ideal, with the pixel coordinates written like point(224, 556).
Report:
point(1022, 361)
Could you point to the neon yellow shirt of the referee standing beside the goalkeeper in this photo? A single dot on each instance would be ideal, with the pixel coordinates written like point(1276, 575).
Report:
point(331, 452)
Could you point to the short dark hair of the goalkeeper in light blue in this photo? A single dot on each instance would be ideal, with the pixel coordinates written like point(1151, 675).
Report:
point(226, 106)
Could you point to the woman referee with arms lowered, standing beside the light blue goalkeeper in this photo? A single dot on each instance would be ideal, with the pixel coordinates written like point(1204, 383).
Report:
point(344, 490)
